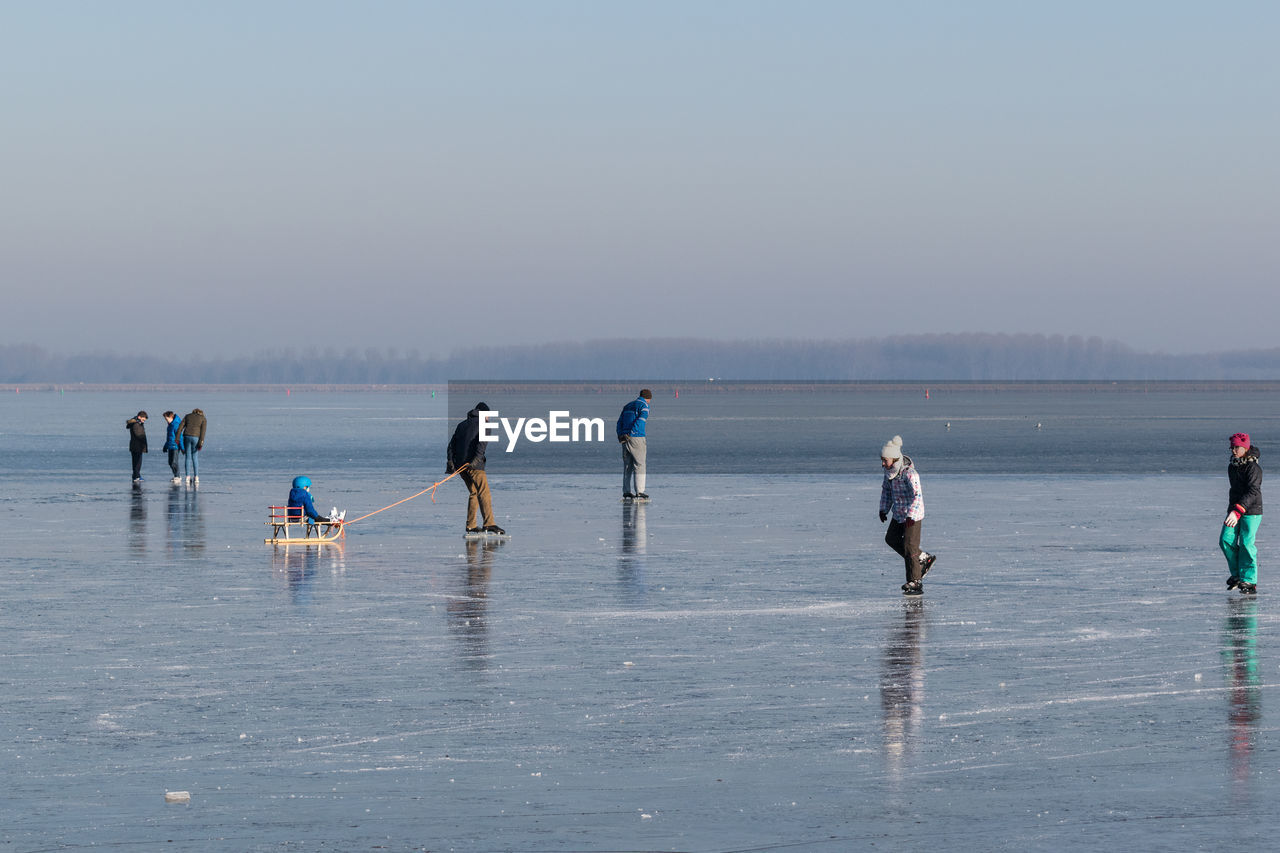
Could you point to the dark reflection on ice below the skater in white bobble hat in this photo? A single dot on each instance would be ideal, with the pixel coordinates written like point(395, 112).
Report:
point(903, 687)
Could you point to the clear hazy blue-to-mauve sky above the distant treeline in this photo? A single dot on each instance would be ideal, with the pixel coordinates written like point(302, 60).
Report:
point(232, 177)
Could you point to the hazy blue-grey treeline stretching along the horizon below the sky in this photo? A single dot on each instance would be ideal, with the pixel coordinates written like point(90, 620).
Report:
point(971, 358)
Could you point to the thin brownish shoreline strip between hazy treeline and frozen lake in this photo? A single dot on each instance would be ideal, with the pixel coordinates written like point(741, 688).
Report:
point(671, 387)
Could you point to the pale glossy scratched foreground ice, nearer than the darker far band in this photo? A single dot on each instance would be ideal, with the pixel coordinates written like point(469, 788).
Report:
point(730, 668)
